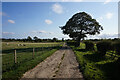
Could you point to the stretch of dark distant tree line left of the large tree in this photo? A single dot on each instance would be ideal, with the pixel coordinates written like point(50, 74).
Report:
point(34, 39)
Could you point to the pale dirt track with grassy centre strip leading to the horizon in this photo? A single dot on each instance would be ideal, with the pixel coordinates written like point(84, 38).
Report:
point(62, 64)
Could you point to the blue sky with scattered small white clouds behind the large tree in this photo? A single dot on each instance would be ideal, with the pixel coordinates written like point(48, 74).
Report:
point(42, 19)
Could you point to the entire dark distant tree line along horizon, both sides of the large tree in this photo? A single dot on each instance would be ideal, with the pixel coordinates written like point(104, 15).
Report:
point(36, 39)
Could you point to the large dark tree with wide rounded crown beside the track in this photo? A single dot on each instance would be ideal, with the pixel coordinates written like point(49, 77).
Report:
point(80, 25)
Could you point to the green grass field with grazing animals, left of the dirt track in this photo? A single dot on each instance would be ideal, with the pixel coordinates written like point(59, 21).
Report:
point(25, 58)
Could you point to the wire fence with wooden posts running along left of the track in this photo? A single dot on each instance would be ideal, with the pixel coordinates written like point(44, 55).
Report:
point(19, 56)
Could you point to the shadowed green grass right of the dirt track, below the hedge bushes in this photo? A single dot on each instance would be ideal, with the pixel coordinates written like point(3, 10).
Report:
point(96, 67)
